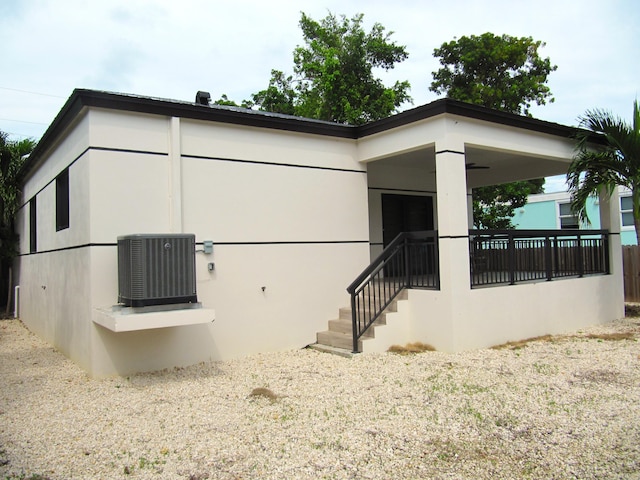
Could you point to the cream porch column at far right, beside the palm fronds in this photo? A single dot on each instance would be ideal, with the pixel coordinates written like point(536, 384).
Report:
point(610, 220)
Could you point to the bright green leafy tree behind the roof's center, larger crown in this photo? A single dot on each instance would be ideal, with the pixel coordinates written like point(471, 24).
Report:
point(333, 76)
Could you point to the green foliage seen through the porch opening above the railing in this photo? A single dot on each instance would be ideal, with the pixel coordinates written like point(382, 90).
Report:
point(493, 206)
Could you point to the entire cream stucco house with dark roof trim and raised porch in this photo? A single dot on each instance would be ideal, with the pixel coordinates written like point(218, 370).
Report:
point(286, 213)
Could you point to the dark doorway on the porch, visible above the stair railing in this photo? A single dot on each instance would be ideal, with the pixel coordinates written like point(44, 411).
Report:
point(405, 213)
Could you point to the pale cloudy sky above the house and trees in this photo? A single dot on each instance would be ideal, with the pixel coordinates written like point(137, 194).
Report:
point(171, 49)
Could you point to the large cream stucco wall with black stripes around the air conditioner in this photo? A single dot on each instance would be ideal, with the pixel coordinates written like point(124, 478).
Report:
point(287, 212)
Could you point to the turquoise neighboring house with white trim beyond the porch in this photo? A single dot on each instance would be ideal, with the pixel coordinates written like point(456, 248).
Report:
point(553, 211)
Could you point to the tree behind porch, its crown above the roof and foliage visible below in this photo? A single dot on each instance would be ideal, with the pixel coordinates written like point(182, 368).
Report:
point(504, 73)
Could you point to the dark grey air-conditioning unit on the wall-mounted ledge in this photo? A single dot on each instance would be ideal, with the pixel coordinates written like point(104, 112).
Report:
point(156, 269)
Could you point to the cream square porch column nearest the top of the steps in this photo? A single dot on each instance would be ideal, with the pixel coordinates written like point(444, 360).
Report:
point(453, 217)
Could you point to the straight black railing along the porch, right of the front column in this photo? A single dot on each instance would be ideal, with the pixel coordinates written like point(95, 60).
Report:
point(512, 256)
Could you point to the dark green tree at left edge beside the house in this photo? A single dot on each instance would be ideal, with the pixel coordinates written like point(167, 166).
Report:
point(12, 156)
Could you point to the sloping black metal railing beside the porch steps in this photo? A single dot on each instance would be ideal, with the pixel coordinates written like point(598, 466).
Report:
point(409, 261)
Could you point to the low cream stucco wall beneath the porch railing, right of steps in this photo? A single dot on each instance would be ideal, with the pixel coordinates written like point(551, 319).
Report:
point(490, 316)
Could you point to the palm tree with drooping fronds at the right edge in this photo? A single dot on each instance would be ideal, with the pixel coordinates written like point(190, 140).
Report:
point(614, 162)
